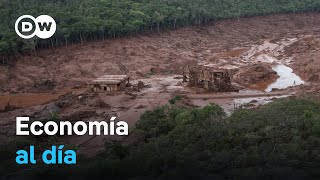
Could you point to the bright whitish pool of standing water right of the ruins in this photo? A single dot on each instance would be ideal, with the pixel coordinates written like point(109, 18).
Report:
point(287, 78)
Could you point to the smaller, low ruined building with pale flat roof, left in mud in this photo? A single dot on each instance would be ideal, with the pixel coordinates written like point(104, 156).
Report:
point(109, 83)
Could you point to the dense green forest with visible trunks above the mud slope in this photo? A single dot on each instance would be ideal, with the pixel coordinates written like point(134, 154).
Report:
point(79, 21)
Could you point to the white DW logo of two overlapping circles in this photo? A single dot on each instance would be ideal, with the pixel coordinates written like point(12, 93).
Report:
point(43, 26)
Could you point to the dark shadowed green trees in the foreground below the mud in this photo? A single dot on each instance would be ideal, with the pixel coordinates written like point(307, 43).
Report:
point(276, 141)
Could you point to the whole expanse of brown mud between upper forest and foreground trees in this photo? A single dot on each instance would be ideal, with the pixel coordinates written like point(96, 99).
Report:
point(272, 57)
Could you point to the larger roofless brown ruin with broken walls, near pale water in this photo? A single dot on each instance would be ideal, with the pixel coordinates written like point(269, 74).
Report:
point(209, 78)
